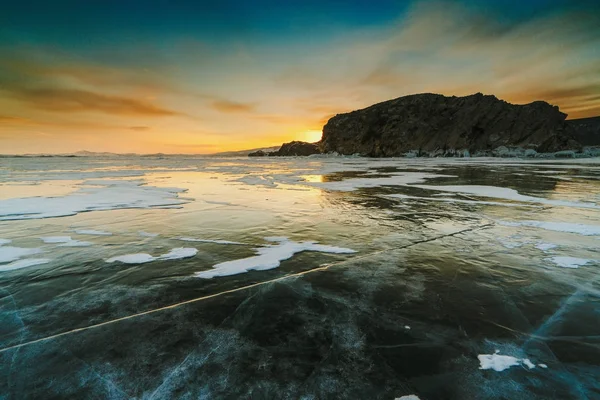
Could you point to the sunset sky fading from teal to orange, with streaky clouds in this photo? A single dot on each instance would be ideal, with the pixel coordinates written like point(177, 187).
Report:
point(202, 77)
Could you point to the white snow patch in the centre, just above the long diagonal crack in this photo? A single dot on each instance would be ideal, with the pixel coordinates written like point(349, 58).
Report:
point(269, 257)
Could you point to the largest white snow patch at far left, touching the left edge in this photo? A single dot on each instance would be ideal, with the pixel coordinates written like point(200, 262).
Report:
point(94, 195)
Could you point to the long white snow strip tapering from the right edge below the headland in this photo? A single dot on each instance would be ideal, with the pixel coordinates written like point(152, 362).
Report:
point(505, 193)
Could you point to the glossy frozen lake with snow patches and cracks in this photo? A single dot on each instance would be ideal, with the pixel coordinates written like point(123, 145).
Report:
point(189, 277)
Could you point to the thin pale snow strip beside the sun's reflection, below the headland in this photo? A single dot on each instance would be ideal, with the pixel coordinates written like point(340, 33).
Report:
point(400, 179)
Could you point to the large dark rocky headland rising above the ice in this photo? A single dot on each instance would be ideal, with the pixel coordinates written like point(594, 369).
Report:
point(438, 124)
